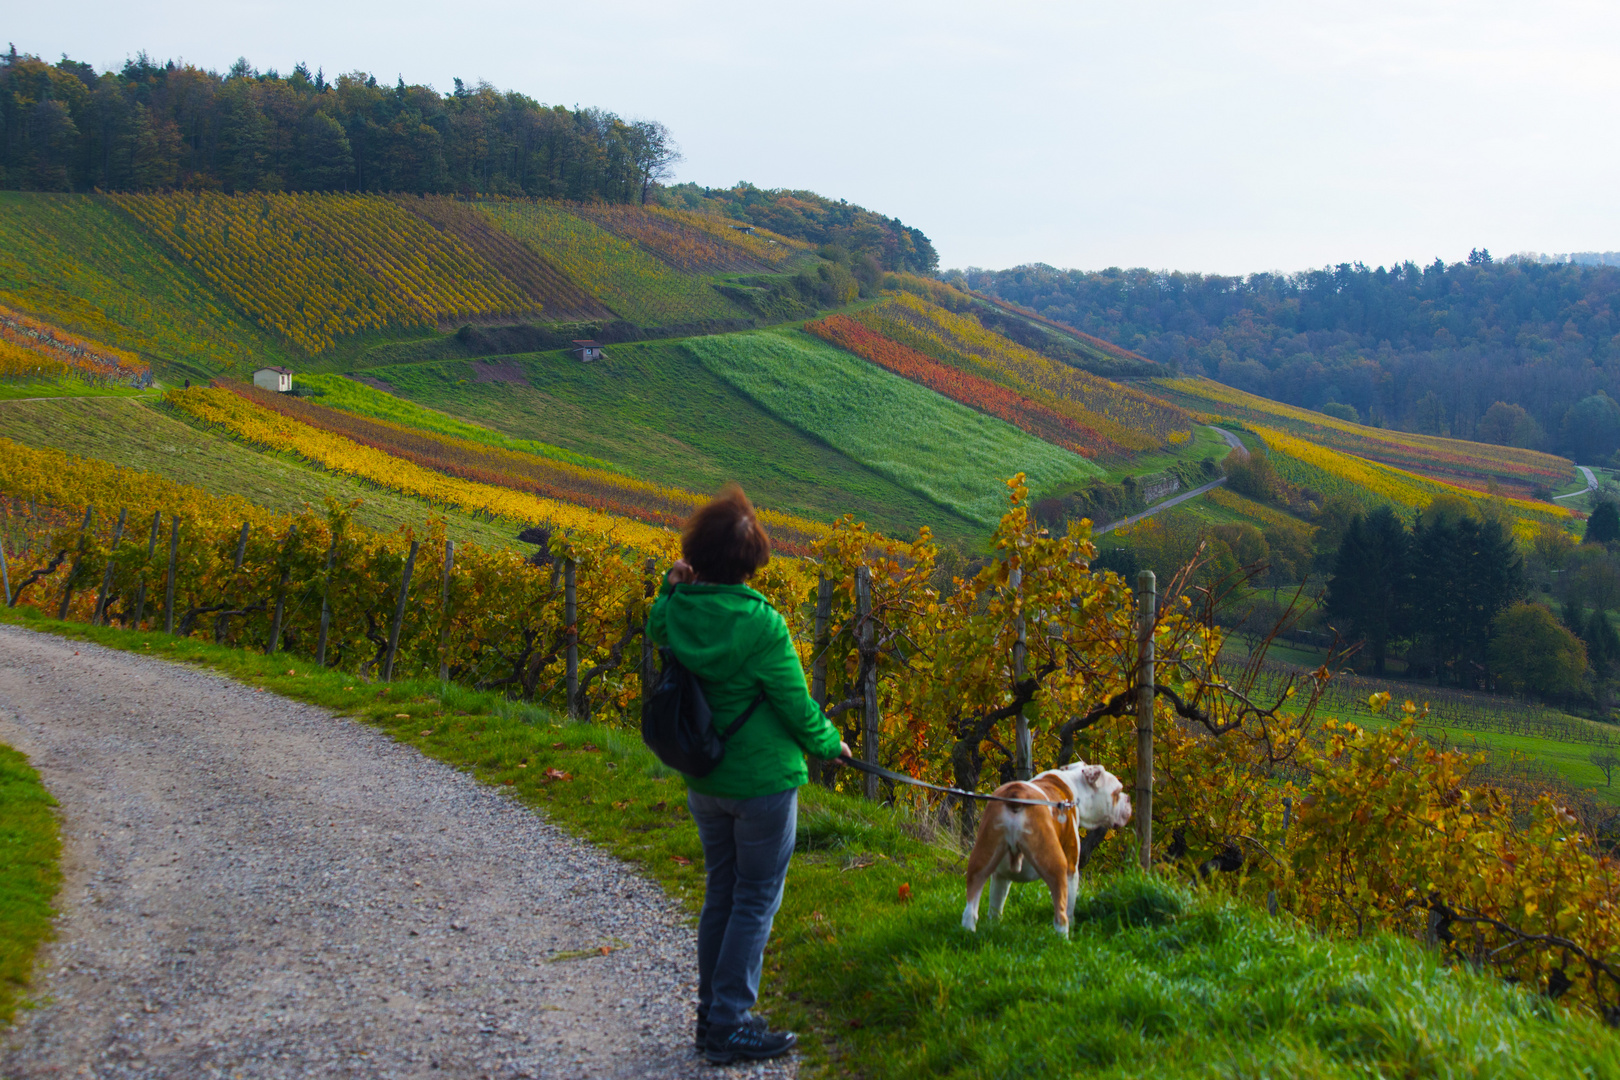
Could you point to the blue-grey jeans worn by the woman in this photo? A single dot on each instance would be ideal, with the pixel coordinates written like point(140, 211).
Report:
point(748, 844)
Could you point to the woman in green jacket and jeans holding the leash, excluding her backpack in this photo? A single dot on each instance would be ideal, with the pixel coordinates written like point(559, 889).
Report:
point(748, 809)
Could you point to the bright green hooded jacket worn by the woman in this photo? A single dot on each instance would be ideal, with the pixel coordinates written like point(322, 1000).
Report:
point(738, 645)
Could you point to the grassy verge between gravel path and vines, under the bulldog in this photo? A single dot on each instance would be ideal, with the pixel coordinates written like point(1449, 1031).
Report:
point(871, 964)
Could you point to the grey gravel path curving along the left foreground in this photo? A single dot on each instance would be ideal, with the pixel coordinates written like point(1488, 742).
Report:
point(258, 888)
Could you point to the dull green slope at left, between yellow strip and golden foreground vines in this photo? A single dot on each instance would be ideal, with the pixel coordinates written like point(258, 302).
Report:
point(145, 436)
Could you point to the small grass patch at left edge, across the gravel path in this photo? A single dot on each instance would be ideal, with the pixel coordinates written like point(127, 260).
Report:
point(30, 874)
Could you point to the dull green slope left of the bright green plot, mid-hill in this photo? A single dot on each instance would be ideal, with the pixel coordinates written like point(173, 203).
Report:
point(657, 412)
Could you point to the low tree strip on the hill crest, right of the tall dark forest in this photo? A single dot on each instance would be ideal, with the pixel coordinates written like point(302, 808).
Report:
point(851, 229)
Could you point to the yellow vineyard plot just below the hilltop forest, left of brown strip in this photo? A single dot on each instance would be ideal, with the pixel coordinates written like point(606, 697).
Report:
point(315, 268)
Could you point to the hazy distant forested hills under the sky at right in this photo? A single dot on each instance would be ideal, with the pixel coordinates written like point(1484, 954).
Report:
point(1511, 352)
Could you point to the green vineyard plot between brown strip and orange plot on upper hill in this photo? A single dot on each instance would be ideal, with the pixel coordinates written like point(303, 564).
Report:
point(615, 271)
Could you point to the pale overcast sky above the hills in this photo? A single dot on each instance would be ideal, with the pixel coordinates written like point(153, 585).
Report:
point(1200, 137)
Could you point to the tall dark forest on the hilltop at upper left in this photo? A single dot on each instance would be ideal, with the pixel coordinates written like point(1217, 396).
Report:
point(174, 125)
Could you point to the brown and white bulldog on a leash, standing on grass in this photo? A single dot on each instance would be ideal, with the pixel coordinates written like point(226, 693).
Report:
point(1020, 843)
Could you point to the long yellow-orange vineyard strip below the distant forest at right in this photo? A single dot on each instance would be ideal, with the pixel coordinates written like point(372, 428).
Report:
point(1451, 461)
